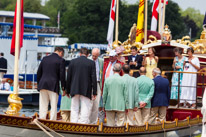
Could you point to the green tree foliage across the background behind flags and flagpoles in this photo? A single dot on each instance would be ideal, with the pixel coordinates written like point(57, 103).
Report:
point(86, 21)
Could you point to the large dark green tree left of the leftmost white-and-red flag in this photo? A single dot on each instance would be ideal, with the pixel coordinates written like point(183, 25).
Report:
point(87, 21)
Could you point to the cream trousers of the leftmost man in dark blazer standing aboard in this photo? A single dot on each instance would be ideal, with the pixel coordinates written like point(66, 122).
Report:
point(44, 97)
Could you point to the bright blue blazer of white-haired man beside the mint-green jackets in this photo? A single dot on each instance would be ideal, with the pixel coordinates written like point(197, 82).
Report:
point(161, 95)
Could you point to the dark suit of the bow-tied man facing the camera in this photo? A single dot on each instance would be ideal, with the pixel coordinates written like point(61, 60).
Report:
point(138, 60)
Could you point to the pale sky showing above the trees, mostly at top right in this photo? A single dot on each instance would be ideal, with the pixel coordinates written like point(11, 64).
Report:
point(184, 4)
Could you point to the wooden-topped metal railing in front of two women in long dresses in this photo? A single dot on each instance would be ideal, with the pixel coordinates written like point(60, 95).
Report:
point(198, 85)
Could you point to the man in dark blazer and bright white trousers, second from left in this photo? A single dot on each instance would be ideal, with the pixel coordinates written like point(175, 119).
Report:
point(82, 86)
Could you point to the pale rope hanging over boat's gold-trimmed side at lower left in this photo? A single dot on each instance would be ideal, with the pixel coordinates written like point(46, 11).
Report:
point(45, 128)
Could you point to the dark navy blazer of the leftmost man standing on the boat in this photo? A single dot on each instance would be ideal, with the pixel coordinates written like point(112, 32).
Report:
point(50, 72)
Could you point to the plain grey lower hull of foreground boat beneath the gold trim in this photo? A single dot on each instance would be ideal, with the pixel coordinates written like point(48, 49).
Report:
point(8, 131)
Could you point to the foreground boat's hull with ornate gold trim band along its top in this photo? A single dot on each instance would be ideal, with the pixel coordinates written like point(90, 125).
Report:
point(16, 126)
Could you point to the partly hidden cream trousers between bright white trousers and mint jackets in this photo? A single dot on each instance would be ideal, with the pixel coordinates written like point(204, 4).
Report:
point(95, 106)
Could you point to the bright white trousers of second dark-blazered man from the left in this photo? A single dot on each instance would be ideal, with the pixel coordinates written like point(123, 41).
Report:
point(85, 109)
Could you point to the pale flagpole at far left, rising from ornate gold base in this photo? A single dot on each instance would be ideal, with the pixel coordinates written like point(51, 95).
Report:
point(17, 45)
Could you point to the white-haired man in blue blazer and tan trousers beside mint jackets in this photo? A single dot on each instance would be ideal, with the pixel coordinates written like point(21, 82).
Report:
point(161, 97)
